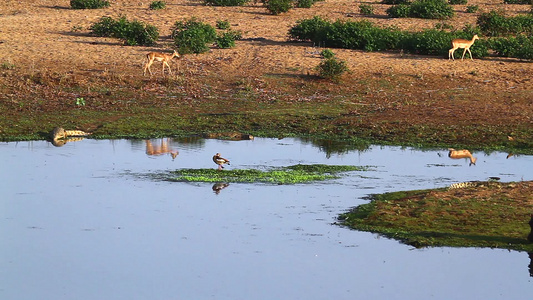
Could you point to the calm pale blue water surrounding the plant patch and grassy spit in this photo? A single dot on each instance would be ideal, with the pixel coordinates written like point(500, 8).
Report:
point(78, 223)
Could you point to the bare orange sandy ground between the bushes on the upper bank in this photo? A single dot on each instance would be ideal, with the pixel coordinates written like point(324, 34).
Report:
point(41, 34)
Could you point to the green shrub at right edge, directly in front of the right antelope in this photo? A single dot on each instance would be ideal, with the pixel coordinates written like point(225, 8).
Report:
point(520, 46)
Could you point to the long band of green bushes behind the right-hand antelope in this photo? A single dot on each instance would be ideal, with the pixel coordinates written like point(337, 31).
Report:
point(364, 35)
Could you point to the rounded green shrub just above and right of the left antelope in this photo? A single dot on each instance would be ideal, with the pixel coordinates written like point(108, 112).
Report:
point(193, 36)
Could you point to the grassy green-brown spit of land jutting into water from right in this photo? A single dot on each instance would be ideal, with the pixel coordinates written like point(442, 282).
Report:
point(493, 215)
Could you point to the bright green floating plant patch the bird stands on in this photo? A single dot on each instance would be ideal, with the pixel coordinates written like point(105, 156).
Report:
point(283, 175)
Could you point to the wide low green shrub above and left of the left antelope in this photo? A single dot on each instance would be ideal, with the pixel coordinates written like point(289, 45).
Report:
point(133, 33)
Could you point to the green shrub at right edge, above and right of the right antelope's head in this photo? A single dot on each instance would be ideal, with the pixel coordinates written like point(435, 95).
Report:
point(496, 24)
